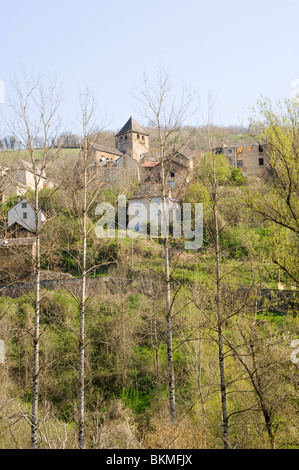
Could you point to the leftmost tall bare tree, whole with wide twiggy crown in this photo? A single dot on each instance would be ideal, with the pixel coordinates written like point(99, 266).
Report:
point(32, 120)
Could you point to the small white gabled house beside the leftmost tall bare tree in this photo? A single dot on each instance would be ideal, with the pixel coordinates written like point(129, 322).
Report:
point(23, 214)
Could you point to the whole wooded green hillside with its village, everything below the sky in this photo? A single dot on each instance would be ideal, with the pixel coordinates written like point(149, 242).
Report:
point(167, 328)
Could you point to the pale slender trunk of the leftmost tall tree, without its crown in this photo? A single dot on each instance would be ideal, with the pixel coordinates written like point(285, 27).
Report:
point(35, 381)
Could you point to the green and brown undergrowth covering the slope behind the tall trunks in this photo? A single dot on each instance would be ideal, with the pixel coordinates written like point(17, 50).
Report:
point(126, 362)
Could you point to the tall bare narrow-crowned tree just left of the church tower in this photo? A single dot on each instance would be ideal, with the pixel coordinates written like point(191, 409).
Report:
point(82, 186)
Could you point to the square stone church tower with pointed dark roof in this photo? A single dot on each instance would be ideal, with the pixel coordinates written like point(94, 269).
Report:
point(132, 140)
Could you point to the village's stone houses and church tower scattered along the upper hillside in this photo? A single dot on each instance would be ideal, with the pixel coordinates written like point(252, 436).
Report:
point(130, 163)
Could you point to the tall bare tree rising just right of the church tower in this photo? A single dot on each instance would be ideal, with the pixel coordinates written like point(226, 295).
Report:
point(166, 113)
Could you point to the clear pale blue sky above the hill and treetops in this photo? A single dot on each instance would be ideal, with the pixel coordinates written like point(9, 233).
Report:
point(239, 50)
